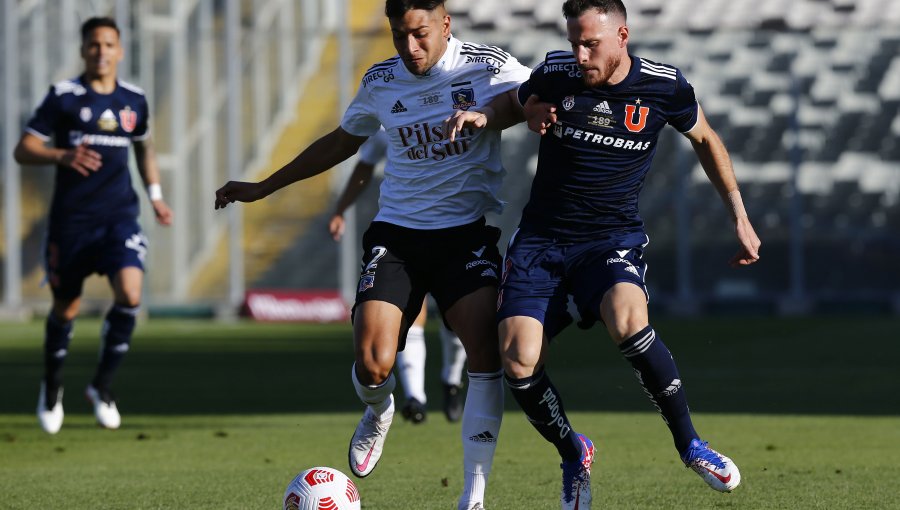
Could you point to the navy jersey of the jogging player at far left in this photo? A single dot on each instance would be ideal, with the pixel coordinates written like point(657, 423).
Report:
point(71, 114)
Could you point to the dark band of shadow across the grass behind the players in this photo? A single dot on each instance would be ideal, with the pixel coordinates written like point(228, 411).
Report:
point(729, 365)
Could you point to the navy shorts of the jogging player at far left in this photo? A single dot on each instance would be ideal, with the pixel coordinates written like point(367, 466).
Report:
point(74, 253)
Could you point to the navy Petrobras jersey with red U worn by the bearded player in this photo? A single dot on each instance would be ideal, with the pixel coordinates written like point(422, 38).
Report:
point(593, 161)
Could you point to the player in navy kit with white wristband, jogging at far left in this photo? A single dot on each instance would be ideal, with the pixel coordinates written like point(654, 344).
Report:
point(93, 120)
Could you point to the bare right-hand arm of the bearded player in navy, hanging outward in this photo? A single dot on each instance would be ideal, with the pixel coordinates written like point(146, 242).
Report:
point(716, 163)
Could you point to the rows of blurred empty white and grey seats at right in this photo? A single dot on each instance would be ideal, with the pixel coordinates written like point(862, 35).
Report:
point(795, 100)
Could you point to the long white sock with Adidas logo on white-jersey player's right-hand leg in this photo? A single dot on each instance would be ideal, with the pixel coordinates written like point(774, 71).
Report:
point(482, 415)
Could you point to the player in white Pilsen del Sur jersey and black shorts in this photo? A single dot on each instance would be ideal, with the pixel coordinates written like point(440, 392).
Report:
point(429, 235)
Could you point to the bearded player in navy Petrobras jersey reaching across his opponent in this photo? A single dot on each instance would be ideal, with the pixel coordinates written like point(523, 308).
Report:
point(581, 233)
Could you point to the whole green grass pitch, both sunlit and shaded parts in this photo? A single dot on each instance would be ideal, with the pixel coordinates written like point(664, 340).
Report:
point(224, 415)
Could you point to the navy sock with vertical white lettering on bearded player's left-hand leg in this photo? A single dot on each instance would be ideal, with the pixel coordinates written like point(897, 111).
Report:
point(543, 407)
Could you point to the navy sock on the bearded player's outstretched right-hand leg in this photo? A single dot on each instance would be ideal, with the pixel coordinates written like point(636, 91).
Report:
point(655, 369)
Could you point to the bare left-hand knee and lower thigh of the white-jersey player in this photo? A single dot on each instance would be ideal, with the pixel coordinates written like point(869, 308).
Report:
point(376, 336)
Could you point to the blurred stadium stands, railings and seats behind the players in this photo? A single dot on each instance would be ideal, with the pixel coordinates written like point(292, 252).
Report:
point(806, 95)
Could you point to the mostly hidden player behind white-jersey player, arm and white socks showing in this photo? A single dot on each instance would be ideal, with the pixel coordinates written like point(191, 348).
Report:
point(410, 363)
